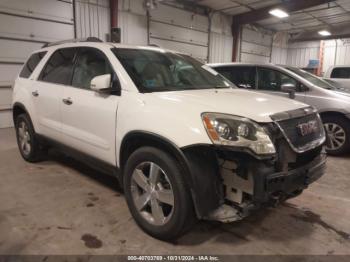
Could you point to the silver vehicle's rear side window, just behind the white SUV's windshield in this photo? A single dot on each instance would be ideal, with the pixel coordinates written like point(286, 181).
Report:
point(243, 77)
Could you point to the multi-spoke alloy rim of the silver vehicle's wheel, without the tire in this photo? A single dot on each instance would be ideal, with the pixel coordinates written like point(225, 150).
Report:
point(336, 136)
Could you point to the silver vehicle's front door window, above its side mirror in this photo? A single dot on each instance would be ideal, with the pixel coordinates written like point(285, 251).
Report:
point(272, 80)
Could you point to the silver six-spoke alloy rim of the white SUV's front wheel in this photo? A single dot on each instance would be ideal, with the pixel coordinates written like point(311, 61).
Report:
point(152, 193)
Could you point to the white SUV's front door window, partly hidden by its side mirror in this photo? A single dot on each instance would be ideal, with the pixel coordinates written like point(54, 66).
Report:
point(90, 63)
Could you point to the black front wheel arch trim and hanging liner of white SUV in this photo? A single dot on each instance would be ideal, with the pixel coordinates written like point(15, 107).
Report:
point(194, 164)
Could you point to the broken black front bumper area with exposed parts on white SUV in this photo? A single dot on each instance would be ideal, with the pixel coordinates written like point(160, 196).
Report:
point(266, 185)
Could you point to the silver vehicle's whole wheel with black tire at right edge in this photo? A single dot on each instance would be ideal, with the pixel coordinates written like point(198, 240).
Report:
point(338, 134)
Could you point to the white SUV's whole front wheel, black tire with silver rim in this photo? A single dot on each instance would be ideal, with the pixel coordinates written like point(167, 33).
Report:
point(157, 195)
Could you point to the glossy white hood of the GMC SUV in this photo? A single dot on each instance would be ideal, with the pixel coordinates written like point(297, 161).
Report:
point(253, 105)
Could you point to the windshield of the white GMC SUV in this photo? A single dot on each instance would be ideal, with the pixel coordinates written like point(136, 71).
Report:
point(154, 71)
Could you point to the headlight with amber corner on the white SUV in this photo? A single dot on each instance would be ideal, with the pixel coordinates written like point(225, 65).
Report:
point(237, 131)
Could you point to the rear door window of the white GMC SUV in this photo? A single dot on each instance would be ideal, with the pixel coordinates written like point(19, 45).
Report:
point(59, 68)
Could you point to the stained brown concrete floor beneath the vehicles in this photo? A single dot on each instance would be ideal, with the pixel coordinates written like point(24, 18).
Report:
point(62, 207)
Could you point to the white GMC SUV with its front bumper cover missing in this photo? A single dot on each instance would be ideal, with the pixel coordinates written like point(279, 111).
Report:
point(183, 142)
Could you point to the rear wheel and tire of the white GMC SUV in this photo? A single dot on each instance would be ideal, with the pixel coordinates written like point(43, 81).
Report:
point(28, 145)
